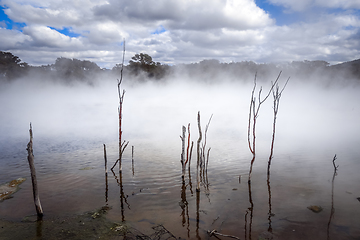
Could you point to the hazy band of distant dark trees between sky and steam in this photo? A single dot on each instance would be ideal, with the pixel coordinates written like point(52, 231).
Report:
point(141, 67)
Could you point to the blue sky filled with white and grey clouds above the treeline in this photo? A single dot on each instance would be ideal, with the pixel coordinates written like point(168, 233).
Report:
point(181, 31)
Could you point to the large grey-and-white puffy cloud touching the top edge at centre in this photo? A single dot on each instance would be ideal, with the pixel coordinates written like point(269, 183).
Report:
point(187, 14)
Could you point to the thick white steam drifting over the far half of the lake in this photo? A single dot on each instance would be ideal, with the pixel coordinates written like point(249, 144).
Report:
point(309, 117)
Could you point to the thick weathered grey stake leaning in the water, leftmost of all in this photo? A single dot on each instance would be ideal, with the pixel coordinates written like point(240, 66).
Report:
point(33, 176)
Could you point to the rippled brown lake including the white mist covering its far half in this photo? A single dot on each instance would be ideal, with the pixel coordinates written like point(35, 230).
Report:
point(71, 124)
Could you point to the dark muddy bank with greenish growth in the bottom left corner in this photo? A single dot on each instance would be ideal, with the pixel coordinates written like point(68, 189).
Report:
point(90, 225)
